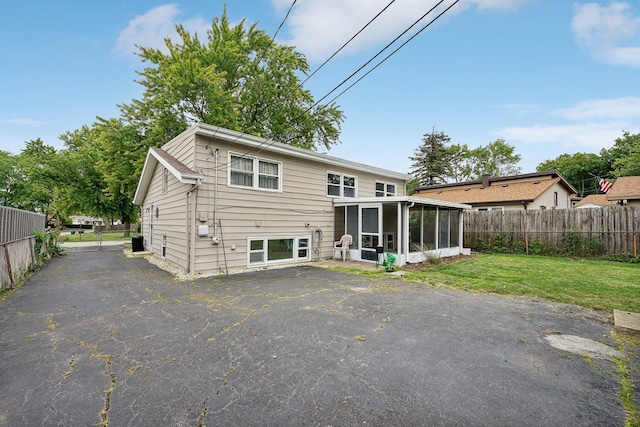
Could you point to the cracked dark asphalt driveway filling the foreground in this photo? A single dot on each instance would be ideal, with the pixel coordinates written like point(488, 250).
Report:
point(95, 337)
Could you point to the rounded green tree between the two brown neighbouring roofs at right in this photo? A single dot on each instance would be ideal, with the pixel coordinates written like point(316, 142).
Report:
point(579, 169)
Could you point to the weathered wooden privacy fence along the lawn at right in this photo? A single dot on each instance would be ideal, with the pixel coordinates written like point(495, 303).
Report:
point(607, 230)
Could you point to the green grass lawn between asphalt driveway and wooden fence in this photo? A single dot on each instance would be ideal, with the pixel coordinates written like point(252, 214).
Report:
point(603, 285)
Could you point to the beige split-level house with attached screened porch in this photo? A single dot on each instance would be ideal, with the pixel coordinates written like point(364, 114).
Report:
point(215, 200)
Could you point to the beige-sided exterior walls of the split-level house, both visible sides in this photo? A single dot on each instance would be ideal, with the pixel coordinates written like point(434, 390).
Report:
point(301, 209)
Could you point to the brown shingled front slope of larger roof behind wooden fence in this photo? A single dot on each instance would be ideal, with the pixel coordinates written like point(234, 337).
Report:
point(515, 192)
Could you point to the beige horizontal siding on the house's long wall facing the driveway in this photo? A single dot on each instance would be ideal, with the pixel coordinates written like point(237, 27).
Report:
point(245, 213)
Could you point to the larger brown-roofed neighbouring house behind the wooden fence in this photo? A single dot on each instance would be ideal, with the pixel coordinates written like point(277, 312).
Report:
point(538, 190)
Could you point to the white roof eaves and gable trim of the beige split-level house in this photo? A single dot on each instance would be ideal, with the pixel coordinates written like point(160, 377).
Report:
point(253, 145)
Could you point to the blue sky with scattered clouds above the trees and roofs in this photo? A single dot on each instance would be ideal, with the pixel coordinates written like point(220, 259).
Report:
point(547, 76)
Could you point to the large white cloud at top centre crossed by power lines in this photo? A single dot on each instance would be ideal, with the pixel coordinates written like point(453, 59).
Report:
point(318, 28)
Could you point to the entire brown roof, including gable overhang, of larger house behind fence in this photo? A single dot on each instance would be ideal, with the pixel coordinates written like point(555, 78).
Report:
point(514, 188)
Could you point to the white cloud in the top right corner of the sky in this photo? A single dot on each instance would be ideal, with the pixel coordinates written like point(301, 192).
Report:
point(611, 33)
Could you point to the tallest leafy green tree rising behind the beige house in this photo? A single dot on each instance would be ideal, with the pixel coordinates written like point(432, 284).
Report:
point(238, 79)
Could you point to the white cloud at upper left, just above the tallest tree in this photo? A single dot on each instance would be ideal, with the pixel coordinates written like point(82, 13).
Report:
point(151, 28)
